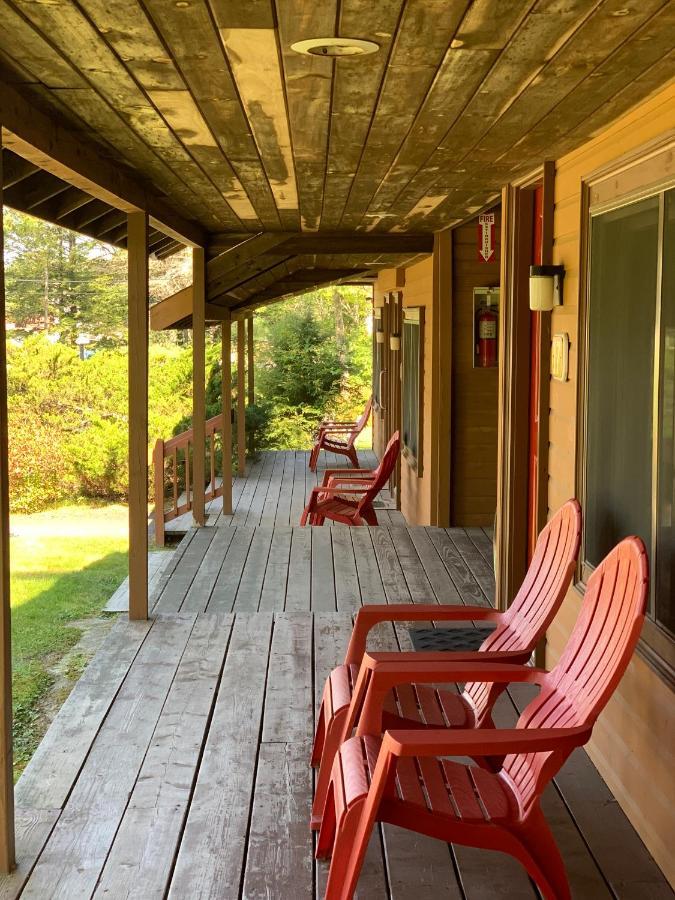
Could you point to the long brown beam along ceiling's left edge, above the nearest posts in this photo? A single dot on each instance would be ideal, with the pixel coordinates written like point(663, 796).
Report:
point(51, 146)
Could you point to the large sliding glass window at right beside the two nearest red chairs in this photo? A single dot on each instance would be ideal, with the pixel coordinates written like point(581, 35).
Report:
point(630, 412)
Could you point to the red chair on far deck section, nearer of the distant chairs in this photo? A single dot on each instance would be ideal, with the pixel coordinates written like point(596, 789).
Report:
point(352, 505)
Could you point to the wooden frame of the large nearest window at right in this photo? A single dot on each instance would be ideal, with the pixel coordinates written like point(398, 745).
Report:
point(645, 173)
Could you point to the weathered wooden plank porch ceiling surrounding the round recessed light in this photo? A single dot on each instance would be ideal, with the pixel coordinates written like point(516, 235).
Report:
point(205, 100)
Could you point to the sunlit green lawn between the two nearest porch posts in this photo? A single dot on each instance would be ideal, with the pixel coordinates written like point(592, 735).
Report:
point(65, 564)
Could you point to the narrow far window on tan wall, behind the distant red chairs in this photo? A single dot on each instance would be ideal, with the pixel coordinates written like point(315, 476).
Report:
point(413, 338)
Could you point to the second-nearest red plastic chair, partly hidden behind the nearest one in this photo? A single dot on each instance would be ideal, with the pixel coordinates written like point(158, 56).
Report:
point(518, 632)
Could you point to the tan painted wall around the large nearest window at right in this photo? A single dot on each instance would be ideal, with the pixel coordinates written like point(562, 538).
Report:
point(634, 741)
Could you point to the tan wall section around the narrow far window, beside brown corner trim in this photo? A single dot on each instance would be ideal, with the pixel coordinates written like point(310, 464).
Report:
point(416, 491)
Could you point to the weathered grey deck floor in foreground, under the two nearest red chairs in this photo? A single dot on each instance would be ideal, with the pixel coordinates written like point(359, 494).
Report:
point(178, 766)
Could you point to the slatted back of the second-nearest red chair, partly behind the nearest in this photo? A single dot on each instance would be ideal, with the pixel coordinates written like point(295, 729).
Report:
point(538, 600)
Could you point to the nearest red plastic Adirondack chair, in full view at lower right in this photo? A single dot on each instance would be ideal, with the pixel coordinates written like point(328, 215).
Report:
point(404, 778)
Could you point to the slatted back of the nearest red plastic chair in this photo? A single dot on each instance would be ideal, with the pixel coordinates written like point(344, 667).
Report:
point(592, 664)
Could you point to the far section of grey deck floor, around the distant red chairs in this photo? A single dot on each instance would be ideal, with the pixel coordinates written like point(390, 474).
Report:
point(274, 489)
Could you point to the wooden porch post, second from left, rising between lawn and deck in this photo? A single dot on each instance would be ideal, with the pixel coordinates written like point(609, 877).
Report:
point(137, 246)
